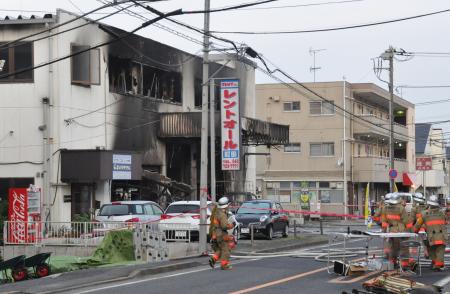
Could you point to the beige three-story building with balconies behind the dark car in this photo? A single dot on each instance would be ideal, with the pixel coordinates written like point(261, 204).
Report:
point(325, 141)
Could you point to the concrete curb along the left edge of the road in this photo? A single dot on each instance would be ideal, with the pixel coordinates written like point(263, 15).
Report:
point(133, 274)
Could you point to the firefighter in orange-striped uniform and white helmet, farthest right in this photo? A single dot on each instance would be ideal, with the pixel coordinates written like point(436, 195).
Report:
point(433, 220)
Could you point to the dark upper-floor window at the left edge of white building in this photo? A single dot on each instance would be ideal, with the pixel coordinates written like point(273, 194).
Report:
point(16, 58)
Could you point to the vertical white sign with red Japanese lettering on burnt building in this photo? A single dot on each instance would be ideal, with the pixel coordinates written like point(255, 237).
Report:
point(230, 124)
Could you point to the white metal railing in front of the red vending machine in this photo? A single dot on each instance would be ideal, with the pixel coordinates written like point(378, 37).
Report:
point(59, 233)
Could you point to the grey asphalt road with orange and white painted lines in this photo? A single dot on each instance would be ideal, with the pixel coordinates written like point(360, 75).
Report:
point(286, 274)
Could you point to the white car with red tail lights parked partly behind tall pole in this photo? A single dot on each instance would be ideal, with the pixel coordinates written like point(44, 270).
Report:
point(181, 220)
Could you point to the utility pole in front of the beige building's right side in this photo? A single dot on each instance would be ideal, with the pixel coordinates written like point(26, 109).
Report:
point(389, 55)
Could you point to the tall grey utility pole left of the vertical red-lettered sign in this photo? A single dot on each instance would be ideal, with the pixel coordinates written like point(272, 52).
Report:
point(204, 135)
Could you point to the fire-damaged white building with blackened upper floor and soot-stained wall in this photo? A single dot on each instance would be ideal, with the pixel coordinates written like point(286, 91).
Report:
point(120, 121)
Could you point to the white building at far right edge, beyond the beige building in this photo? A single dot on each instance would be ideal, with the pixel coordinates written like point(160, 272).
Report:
point(430, 143)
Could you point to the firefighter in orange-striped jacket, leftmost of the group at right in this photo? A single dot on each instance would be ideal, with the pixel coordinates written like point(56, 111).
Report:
point(395, 220)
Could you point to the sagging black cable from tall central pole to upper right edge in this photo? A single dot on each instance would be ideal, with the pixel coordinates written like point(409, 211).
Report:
point(332, 29)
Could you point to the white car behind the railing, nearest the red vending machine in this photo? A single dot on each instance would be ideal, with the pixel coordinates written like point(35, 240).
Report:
point(129, 211)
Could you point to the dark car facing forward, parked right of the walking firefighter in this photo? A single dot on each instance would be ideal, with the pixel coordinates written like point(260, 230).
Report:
point(266, 216)
